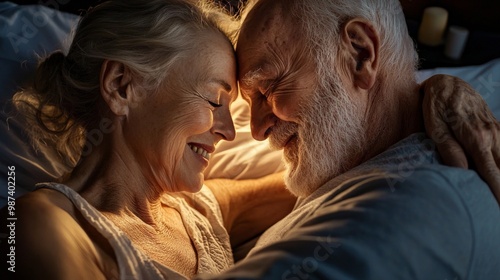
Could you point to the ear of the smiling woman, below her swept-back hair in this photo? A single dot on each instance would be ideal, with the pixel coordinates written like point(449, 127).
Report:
point(115, 86)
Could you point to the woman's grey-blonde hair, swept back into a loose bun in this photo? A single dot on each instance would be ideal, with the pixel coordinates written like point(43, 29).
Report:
point(148, 37)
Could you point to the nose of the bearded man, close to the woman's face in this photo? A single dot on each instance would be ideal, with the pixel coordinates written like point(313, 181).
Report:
point(262, 120)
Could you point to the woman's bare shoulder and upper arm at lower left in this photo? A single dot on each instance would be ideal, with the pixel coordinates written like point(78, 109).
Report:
point(47, 237)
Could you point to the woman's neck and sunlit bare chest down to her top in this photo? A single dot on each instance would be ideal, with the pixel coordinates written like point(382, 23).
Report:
point(110, 179)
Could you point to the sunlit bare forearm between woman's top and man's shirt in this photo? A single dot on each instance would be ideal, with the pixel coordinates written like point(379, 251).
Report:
point(249, 207)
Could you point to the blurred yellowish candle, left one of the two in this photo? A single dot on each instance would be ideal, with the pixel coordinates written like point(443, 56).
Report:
point(433, 25)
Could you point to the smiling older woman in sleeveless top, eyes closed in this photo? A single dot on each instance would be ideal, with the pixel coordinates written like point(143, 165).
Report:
point(138, 104)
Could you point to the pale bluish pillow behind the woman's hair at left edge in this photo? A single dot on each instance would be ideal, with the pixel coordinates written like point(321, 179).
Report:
point(25, 32)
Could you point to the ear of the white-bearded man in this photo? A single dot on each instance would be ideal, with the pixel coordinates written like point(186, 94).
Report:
point(361, 42)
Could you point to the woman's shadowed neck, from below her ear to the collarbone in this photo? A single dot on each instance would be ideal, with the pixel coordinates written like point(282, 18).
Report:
point(111, 179)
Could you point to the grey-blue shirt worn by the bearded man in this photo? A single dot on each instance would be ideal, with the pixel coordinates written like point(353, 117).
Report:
point(421, 220)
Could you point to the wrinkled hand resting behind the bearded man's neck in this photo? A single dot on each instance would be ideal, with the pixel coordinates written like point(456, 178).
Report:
point(459, 121)
